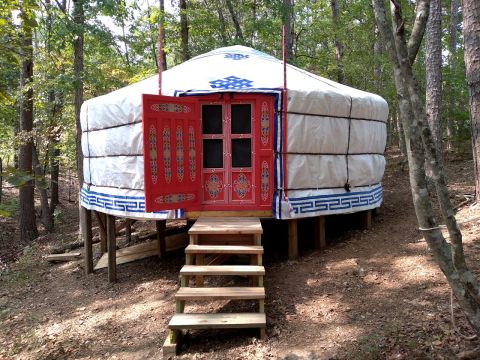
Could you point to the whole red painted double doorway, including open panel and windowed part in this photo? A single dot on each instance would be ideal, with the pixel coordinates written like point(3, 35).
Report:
point(208, 152)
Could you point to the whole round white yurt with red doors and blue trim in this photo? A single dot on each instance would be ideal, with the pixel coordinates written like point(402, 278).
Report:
point(223, 138)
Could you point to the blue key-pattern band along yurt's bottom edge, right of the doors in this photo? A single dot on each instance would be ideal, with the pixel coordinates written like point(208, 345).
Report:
point(335, 202)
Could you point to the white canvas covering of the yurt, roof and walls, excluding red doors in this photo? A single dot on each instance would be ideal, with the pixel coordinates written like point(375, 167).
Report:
point(335, 136)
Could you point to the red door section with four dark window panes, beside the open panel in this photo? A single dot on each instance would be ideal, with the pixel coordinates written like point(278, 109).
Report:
point(237, 155)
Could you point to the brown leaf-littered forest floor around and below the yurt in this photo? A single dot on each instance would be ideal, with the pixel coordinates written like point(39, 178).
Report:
point(373, 294)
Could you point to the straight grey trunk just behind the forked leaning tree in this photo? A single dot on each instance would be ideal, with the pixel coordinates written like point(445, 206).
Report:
point(433, 70)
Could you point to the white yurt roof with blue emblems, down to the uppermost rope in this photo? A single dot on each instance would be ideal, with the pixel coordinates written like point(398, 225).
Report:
point(238, 69)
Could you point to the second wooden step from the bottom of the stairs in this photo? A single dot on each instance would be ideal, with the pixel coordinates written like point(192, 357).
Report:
point(225, 293)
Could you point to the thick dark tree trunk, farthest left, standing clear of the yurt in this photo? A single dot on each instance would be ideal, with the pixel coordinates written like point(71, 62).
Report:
point(28, 225)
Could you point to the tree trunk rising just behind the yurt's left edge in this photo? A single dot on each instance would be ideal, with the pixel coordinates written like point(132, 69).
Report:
point(79, 20)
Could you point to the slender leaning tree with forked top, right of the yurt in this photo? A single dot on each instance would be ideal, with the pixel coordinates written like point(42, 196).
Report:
point(420, 146)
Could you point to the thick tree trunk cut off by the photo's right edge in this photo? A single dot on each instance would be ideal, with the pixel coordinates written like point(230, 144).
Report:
point(471, 38)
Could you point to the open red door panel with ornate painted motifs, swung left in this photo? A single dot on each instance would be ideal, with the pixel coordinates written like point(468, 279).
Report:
point(171, 143)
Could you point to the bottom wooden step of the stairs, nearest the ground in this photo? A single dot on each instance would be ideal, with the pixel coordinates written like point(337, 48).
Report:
point(218, 321)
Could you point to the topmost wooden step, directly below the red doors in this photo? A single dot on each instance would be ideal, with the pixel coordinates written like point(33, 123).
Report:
point(226, 225)
